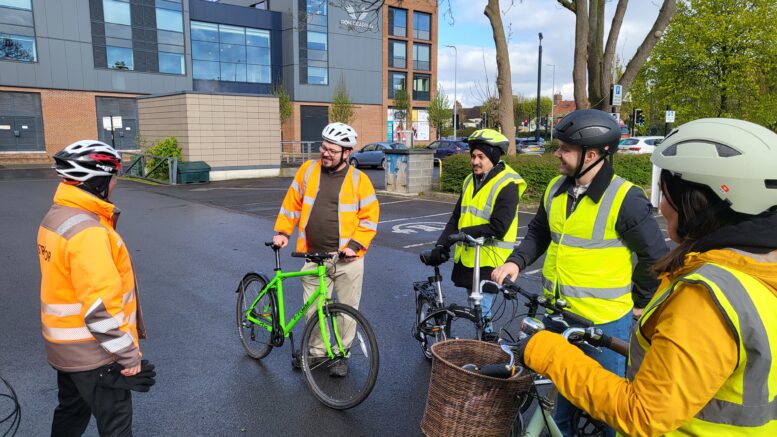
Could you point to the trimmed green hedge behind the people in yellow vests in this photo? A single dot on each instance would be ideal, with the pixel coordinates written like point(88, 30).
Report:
point(538, 170)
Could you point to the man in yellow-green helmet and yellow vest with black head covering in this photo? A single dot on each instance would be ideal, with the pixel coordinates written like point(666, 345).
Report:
point(487, 207)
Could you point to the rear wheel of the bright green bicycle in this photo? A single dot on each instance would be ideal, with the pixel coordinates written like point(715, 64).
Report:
point(256, 339)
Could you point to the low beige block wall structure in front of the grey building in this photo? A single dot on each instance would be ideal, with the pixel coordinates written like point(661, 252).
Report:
point(238, 136)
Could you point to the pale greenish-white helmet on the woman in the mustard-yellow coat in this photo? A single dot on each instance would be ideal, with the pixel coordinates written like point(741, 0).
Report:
point(735, 158)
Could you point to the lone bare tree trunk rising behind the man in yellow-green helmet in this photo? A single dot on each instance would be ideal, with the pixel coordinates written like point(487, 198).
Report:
point(503, 81)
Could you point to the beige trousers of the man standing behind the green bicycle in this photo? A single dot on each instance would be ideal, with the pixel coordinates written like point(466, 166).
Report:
point(346, 279)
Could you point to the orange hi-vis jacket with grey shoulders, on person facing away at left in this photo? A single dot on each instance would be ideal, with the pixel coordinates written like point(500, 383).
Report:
point(89, 302)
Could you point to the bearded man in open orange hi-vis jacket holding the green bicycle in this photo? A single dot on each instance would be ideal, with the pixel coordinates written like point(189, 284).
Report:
point(337, 211)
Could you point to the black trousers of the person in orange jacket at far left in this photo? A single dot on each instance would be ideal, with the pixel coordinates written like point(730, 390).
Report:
point(80, 398)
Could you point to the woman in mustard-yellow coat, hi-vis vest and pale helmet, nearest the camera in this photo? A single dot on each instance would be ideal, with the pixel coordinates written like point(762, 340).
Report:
point(701, 359)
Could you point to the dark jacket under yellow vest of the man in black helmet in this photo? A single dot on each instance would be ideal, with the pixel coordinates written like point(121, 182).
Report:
point(636, 226)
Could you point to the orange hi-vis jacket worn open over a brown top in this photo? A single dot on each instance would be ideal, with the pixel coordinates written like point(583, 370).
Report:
point(357, 207)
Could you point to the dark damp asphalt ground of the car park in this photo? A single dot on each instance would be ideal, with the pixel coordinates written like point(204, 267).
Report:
point(190, 246)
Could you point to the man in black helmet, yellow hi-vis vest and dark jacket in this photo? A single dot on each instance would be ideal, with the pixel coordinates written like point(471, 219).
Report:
point(591, 222)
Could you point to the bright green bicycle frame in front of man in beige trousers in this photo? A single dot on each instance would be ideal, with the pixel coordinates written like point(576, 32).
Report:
point(319, 296)
